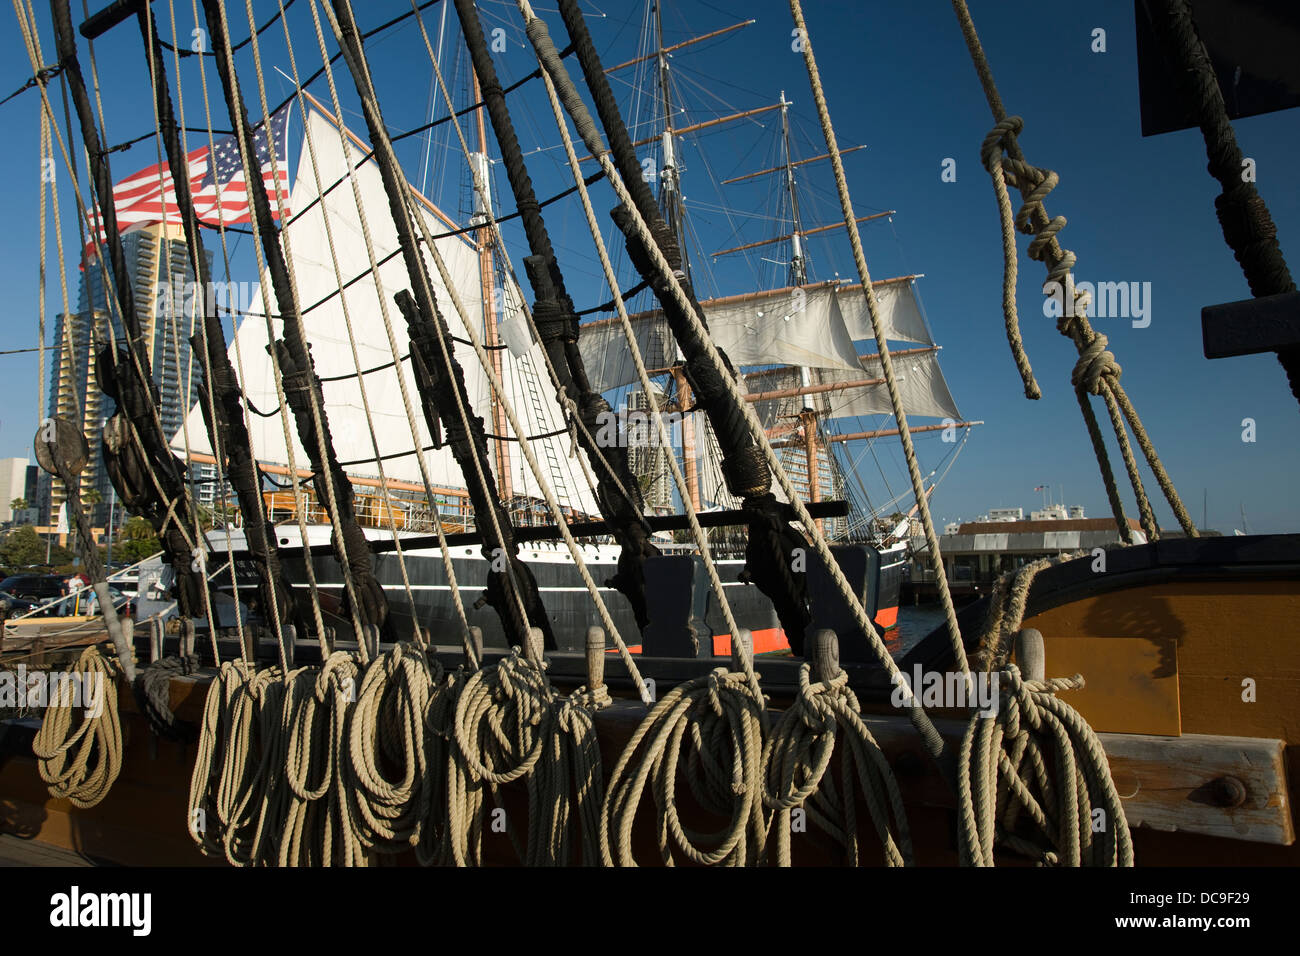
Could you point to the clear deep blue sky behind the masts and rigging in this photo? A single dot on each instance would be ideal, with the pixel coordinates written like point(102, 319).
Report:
point(899, 80)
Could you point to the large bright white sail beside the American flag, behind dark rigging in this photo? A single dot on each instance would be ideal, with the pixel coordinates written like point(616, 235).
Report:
point(322, 302)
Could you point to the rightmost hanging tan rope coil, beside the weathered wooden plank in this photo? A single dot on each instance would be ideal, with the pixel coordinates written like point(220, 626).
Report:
point(1034, 780)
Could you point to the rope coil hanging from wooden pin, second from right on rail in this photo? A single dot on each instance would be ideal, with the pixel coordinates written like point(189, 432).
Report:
point(799, 754)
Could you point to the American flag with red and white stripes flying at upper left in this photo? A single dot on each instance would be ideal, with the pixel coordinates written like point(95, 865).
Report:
point(150, 196)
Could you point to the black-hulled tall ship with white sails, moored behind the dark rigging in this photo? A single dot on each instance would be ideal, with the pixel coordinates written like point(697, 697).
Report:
point(804, 349)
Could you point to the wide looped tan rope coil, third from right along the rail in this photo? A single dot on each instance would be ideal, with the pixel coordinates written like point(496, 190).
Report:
point(721, 721)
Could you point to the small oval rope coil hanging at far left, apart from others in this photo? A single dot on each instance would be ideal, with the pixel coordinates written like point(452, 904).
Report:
point(81, 763)
